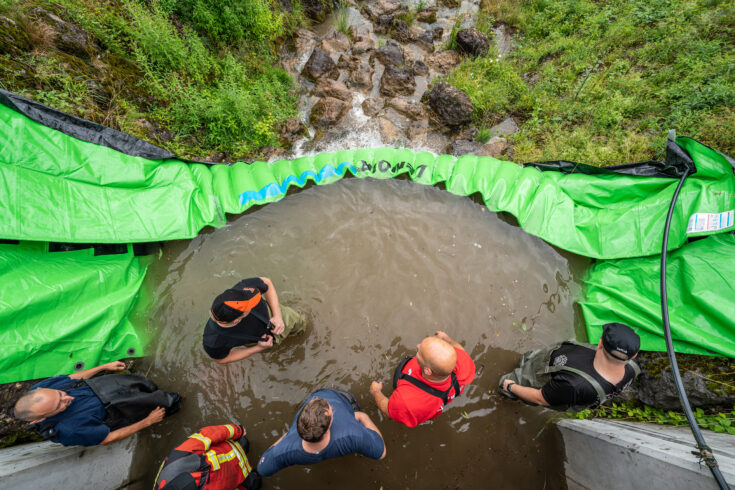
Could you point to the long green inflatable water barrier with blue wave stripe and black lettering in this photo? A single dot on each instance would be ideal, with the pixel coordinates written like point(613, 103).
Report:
point(55, 186)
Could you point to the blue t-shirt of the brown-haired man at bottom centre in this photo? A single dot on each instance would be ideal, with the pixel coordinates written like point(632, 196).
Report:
point(347, 436)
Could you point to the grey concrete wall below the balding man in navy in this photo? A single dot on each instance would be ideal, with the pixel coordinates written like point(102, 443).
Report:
point(50, 466)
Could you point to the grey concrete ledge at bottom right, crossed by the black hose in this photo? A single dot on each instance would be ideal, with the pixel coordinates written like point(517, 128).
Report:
point(612, 454)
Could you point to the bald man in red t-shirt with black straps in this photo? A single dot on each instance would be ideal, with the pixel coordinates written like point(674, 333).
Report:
point(423, 384)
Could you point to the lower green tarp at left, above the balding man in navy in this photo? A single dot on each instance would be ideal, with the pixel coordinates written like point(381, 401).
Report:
point(58, 309)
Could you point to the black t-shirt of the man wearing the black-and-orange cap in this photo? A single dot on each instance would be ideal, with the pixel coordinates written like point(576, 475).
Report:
point(218, 341)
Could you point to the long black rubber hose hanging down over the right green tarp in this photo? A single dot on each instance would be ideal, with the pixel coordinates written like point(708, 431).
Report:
point(704, 451)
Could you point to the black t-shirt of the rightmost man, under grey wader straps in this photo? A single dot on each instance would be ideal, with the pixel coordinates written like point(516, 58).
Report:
point(566, 389)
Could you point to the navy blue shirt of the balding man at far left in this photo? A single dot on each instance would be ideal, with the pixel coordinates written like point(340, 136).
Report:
point(80, 424)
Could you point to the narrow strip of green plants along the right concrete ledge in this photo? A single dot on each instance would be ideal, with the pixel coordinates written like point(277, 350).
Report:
point(713, 420)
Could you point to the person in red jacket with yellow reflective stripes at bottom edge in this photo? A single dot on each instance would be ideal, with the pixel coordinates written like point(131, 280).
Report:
point(212, 459)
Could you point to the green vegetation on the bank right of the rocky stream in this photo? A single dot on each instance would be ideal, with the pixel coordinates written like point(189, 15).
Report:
point(602, 83)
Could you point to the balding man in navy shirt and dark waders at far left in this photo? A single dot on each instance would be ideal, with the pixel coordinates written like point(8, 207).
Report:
point(68, 411)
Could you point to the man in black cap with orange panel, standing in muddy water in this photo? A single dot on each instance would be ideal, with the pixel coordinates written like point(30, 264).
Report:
point(248, 319)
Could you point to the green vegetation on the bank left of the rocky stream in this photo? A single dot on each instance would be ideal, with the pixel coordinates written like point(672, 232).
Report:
point(194, 76)
